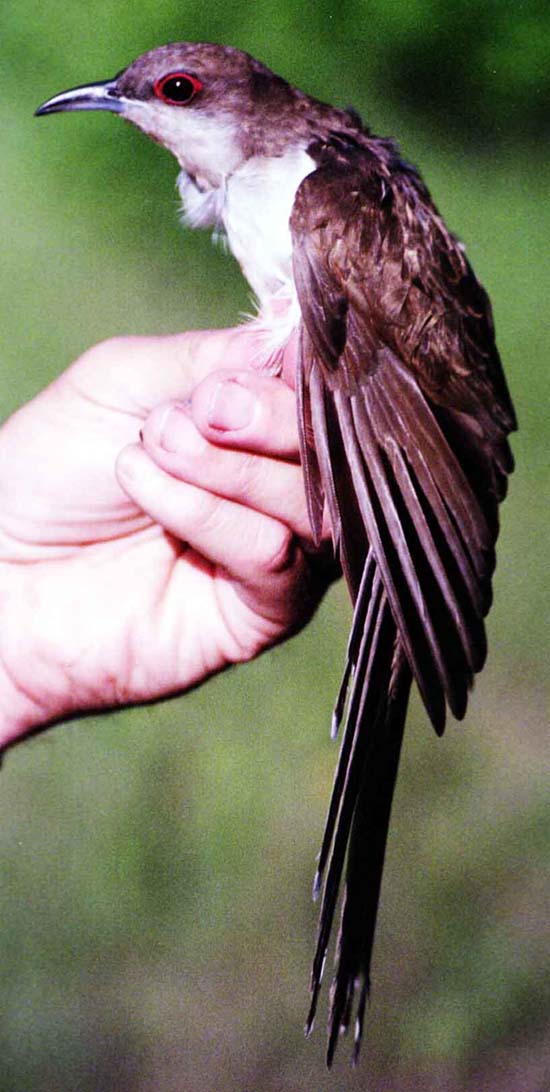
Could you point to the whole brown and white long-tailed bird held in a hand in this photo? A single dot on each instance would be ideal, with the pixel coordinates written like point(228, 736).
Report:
point(404, 417)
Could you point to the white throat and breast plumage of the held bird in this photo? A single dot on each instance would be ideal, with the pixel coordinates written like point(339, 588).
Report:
point(248, 201)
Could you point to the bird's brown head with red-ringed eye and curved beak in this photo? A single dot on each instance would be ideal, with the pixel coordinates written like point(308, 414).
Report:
point(210, 105)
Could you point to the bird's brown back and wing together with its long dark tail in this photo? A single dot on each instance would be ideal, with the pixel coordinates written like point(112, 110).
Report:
point(404, 414)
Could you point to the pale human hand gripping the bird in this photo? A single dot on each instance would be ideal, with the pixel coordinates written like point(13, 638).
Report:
point(135, 566)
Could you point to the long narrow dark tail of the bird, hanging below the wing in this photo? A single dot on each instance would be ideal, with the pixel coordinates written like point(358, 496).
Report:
point(376, 691)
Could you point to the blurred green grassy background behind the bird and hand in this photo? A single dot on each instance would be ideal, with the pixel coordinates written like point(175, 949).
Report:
point(157, 923)
